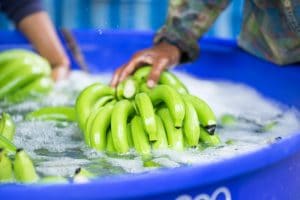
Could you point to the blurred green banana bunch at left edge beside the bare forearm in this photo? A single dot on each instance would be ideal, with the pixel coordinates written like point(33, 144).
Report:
point(23, 74)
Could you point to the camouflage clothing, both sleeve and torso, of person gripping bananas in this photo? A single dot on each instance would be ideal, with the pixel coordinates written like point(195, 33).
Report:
point(270, 29)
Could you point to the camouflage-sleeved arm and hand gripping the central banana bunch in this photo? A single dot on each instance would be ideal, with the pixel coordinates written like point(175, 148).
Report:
point(177, 40)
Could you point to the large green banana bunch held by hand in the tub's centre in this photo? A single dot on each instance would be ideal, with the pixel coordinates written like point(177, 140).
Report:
point(135, 116)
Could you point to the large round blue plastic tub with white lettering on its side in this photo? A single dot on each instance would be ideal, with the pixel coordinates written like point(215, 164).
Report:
point(268, 174)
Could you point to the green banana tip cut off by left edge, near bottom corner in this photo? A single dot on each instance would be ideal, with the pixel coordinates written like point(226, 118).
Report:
point(6, 171)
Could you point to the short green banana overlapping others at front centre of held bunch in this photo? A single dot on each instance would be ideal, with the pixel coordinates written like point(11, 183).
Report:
point(145, 108)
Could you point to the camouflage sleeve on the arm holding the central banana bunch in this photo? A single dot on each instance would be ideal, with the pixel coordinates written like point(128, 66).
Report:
point(187, 21)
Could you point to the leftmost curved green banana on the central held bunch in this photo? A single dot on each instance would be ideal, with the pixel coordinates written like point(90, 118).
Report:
point(87, 99)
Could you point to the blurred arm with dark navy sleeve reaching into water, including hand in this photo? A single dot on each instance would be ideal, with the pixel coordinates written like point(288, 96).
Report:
point(35, 24)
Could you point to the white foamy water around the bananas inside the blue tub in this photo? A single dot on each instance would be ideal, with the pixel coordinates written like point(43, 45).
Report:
point(58, 148)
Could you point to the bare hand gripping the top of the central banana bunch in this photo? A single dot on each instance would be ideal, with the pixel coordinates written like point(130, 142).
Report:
point(160, 56)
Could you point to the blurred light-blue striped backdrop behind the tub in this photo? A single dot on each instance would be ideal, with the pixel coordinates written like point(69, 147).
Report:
point(141, 15)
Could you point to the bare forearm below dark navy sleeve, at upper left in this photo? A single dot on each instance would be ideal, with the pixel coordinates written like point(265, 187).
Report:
point(38, 28)
